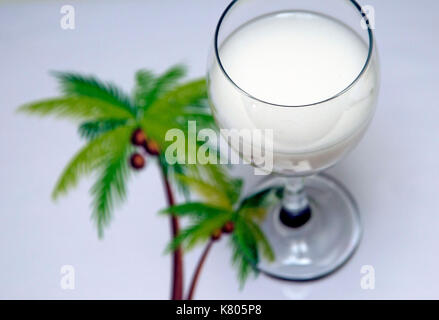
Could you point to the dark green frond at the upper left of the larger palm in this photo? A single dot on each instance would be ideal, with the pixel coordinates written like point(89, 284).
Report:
point(73, 84)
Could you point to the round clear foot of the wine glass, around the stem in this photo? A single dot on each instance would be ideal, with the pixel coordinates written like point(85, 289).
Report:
point(324, 243)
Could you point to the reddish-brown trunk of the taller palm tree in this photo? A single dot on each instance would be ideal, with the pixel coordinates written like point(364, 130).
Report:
point(177, 272)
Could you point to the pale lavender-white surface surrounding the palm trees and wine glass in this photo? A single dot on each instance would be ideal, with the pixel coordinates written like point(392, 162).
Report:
point(393, 173)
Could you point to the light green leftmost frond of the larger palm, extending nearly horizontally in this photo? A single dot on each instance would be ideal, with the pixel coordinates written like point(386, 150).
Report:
point(75, 107)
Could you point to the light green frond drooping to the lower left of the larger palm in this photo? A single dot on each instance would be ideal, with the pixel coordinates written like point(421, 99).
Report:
point(94, 154)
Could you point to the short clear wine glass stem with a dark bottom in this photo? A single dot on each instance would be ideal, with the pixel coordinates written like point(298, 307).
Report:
point(296, 210)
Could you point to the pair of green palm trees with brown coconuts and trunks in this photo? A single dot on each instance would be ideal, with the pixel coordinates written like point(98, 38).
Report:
point(123, 132)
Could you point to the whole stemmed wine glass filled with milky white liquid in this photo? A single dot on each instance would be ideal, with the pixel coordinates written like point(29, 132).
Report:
point(308, 71)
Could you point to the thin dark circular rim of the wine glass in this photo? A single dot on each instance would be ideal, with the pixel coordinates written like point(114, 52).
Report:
point(363, 70)
